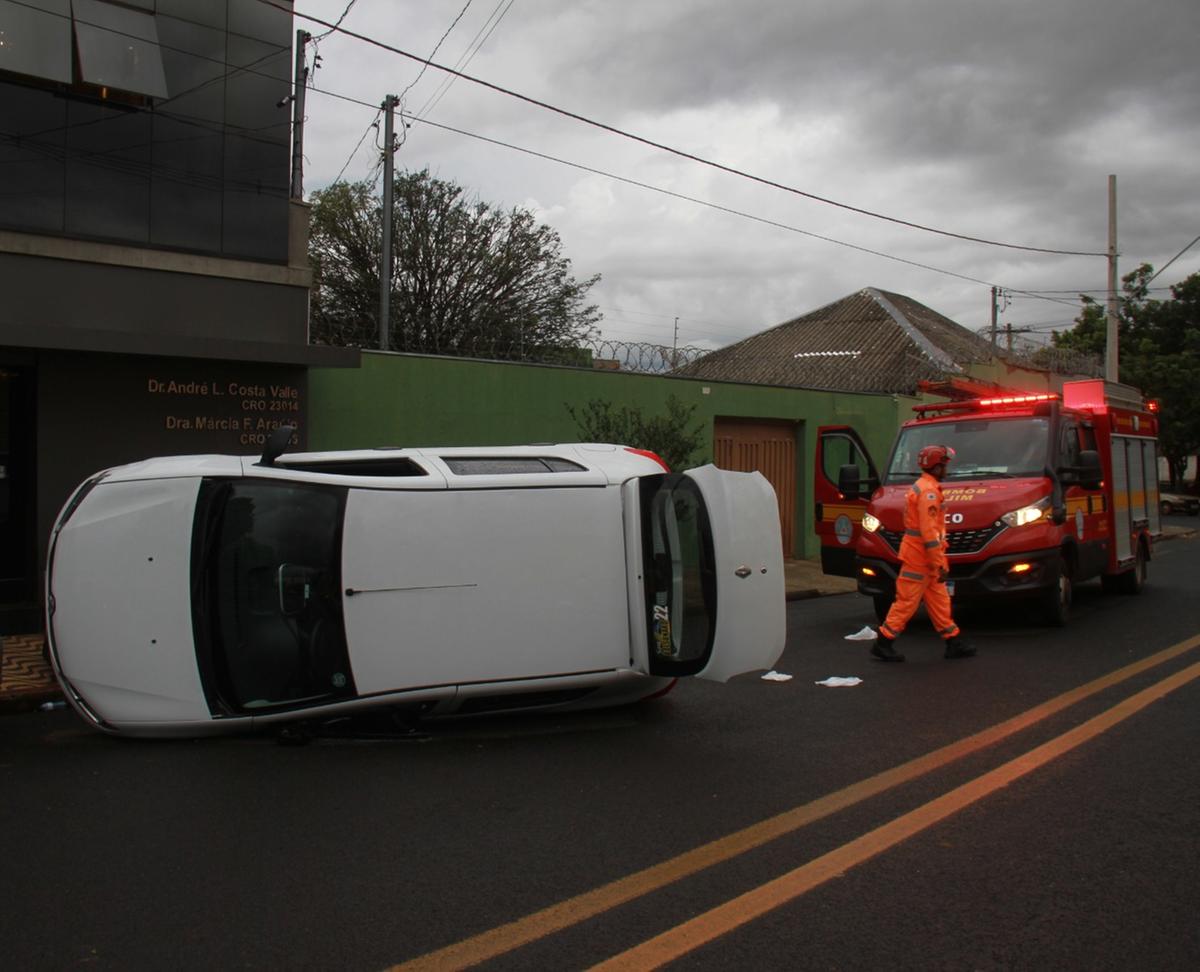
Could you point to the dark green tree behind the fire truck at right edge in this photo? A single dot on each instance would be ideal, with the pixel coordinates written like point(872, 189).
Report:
point(1160, 355)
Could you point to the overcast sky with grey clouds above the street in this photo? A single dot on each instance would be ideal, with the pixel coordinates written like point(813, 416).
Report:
point(999, 121)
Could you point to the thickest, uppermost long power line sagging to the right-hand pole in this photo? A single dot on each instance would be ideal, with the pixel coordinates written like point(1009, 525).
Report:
point(680, 153)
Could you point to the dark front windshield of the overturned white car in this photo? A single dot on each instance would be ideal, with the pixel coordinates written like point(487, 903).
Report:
point(268, 610)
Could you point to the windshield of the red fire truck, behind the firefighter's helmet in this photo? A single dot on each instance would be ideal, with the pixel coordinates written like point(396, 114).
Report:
point(983, 448)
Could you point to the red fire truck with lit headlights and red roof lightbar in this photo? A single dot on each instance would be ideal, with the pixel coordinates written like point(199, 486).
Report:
point(1045, 493)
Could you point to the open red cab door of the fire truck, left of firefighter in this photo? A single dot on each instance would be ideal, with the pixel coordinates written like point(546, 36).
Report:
point(839, 517)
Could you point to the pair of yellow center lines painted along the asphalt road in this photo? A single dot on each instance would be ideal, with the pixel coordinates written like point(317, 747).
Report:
point(757, 903)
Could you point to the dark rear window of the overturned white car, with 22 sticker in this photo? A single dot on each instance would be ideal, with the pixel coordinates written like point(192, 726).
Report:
point(681, 595)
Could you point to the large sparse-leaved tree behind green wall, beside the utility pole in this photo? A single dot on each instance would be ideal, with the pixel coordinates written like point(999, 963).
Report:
point(467, 279)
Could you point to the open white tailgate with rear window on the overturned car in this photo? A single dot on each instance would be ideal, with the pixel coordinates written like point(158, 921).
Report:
point(713, 595)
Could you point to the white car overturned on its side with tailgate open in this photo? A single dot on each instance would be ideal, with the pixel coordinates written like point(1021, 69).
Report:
point(199, 595)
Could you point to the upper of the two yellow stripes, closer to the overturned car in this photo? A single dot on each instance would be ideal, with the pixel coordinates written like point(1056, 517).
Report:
point(507, 938)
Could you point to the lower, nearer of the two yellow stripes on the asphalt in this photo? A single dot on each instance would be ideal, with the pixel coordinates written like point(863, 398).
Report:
point(754, 904)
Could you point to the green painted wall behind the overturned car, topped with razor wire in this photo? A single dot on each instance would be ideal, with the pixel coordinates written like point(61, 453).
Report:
point(416, 400)
